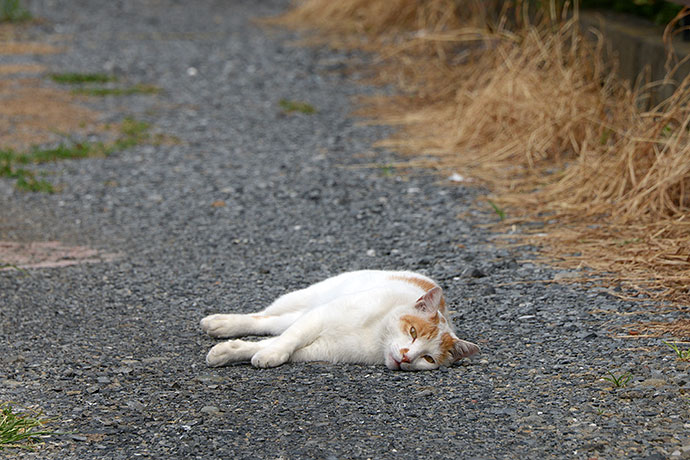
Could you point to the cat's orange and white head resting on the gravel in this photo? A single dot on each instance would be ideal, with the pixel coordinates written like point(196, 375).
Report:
point(421, 338)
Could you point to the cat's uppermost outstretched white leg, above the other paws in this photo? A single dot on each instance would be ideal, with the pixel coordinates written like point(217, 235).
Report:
point(235, 325)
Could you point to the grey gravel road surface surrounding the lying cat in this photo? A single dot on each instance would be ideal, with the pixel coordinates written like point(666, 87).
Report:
point(252, 202)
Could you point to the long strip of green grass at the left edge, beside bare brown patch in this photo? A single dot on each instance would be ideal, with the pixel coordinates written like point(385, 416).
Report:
point(13, 164)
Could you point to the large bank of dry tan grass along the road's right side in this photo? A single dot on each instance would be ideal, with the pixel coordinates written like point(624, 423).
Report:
point(535, 112)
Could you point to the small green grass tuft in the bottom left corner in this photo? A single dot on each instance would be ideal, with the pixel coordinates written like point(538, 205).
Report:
point(20, 429)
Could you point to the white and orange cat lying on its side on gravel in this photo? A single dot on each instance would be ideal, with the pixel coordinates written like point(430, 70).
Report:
point(396, 318)
